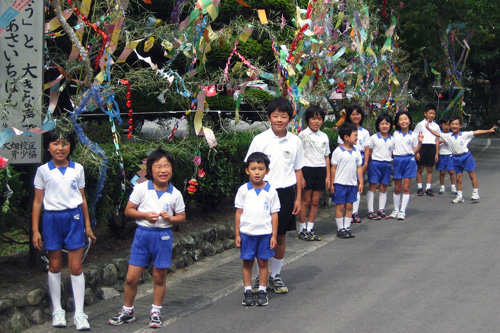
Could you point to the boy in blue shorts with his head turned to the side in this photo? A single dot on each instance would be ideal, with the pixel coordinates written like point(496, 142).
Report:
point(347, 178)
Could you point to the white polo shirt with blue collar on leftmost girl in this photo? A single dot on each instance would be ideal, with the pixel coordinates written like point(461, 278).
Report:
point(61, 185)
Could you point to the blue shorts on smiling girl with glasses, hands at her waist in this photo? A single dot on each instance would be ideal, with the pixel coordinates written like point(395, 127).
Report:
point(152, 244)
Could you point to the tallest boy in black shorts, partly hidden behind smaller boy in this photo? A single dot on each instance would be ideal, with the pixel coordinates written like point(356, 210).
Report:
point(286, 156)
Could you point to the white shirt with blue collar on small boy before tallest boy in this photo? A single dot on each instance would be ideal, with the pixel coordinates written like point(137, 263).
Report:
point(257, 205)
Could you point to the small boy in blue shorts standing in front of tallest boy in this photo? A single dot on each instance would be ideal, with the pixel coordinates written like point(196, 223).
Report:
point(256, 226)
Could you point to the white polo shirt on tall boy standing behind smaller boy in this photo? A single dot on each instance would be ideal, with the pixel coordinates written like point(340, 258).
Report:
point(286, 156)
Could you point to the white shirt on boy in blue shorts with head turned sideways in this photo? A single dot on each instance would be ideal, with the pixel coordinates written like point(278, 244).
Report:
point(347, 162)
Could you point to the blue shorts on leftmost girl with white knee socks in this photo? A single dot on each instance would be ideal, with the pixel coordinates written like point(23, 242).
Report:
point(63, 228)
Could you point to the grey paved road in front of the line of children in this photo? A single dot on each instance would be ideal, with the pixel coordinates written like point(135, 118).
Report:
point(437, 271)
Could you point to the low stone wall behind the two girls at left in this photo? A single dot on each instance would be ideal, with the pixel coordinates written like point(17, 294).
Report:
point(24, 307)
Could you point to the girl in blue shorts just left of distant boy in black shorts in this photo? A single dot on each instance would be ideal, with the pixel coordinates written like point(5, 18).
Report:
point(406, 145)
